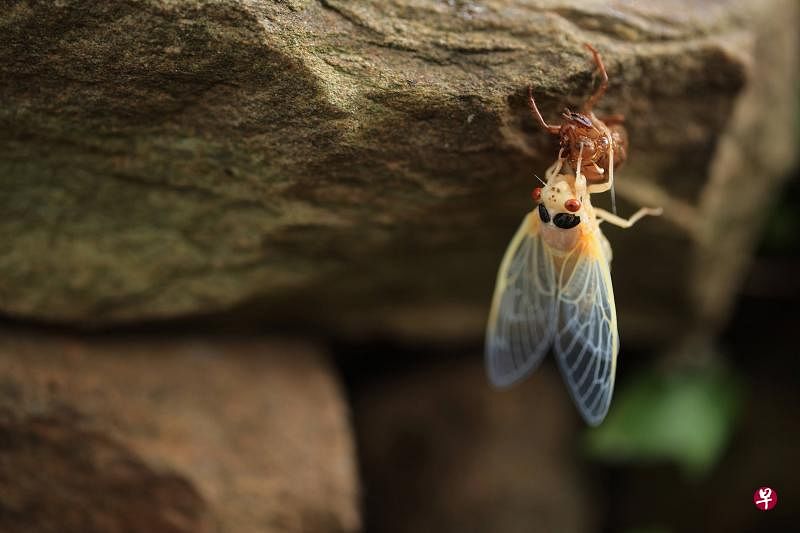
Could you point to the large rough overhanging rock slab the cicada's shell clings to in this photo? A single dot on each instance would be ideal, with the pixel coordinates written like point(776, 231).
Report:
point(360, 166)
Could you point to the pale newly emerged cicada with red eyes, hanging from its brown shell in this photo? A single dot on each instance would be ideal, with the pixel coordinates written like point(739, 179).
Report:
point(554, 289)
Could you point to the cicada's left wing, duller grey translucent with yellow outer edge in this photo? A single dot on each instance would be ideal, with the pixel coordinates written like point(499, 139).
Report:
point(522, 320)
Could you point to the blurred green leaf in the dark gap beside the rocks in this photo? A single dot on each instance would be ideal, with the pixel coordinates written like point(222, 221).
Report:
point(683, 417)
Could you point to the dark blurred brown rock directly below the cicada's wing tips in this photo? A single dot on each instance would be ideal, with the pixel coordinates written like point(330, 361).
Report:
point(442, 451)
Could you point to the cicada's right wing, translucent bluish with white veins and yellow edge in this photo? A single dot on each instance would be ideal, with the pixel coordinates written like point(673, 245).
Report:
point(586, 341)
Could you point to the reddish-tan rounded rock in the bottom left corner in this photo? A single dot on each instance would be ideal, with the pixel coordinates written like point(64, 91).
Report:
point(192, 435)
